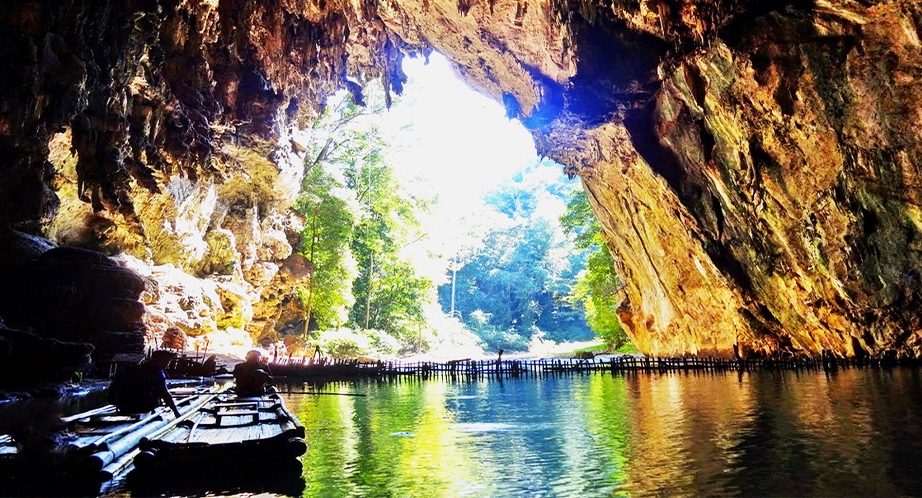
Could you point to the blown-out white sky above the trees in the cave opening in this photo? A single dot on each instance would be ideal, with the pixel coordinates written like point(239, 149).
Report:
point(457, 139)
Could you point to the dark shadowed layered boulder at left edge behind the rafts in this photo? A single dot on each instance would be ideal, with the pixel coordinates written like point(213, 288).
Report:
point(60, 305)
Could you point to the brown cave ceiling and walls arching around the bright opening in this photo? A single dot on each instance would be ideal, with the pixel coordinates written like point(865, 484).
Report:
point(753, 163)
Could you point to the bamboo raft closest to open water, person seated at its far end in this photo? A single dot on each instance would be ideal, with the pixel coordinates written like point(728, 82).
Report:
point(226, 433)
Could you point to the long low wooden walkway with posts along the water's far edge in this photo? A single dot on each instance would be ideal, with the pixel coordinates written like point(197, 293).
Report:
point(342, 369)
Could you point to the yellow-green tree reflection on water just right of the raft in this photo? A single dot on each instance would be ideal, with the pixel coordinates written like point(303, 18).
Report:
point(396, 442)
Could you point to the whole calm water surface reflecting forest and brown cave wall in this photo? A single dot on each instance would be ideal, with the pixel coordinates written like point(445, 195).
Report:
point(851, 432)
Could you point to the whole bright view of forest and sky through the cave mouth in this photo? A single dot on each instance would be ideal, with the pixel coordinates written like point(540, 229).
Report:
point(434, 227)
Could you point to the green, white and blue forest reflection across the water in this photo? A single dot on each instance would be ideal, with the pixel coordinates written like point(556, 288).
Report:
point(443, 438)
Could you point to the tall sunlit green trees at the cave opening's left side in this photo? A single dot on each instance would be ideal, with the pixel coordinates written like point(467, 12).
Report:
point(358, 220)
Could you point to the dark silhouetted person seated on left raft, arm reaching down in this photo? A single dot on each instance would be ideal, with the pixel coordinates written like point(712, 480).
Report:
point(141, 388)
